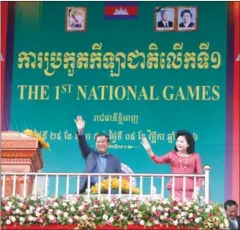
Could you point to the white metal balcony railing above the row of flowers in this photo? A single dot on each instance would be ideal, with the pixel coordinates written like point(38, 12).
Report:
point(50, 184)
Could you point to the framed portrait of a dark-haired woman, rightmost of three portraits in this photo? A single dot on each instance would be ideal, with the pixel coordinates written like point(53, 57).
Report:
point(187, 18)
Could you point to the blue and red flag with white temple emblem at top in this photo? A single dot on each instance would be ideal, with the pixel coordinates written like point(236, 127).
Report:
point(120, 10)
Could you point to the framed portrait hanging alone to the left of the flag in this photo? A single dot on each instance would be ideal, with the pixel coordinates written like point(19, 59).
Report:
point(76, 19)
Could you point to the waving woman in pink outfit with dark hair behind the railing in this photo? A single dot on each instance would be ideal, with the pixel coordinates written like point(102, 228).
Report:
point(182, 160)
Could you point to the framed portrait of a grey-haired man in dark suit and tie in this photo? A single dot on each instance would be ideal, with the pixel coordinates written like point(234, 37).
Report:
point(165, 18)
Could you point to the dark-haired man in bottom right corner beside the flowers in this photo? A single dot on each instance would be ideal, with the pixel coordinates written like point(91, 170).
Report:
point(231, 208)
